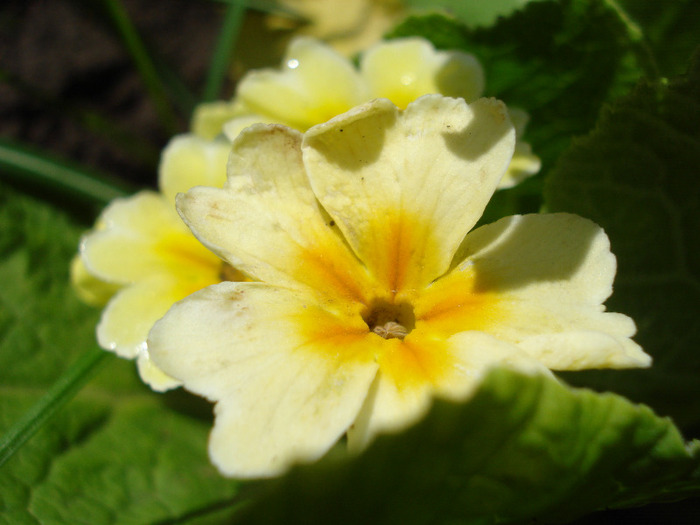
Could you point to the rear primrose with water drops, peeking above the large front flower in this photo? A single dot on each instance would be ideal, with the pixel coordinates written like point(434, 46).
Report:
point(316, 83)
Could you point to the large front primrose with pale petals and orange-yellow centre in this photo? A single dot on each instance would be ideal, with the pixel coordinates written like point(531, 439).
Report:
point(370, 295)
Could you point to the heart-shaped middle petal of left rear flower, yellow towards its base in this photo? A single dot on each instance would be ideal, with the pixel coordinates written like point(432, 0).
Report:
point(143, 237)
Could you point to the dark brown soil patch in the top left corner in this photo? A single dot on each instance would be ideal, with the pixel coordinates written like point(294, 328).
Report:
point(70, 87)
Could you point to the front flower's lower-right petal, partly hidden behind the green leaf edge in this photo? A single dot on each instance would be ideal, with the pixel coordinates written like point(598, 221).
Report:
point(397, 400)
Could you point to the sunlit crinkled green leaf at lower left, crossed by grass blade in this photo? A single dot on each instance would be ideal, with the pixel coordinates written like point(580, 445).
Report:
point(118, 453)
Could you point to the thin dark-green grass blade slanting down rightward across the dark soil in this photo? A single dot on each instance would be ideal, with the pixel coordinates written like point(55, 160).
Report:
point(144, 64)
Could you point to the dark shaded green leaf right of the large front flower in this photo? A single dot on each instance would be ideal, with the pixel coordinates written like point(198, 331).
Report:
point(637, 176)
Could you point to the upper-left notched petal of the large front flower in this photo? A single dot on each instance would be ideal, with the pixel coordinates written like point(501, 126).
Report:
point(267, 223)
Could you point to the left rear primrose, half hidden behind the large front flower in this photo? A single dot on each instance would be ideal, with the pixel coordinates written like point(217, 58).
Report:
point(142, 258)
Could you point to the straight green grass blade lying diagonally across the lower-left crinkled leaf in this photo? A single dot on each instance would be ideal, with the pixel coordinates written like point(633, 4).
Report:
point(57, 396)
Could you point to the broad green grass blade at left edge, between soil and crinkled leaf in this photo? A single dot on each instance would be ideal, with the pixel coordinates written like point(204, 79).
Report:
point(26, 166)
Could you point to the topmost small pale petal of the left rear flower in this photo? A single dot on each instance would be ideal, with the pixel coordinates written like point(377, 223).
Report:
point(188, 161)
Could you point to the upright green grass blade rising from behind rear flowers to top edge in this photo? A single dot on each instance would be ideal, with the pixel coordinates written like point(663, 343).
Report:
point(224, 49)
